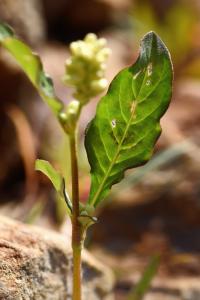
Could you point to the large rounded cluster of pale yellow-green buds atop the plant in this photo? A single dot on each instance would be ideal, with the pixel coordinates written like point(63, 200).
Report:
point(85, 69)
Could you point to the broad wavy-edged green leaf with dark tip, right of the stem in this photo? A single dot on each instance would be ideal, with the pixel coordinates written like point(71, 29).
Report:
point(127, 123)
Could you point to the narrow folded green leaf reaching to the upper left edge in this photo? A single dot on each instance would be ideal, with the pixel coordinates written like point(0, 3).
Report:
point(32, 66)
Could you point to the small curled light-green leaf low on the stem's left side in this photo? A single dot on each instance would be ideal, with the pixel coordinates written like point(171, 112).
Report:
point(46, 168)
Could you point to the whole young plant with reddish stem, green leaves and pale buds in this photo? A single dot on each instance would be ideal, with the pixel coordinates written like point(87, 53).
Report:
point(124, 130)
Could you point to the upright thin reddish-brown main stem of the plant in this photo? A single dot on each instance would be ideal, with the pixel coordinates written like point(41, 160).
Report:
point(76, 226)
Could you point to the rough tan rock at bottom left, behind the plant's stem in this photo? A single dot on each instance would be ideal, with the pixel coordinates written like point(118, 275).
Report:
point(37, 264)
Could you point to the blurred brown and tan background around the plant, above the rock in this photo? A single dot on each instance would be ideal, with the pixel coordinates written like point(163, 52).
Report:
point(156, 208)
